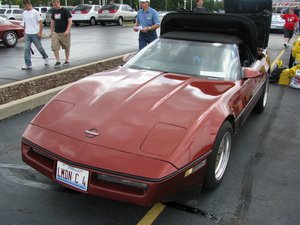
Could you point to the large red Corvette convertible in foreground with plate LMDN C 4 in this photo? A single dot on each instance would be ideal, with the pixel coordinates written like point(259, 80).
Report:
point(164, 121)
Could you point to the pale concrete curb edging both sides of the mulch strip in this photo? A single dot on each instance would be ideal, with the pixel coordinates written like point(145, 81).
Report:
point(33, 101)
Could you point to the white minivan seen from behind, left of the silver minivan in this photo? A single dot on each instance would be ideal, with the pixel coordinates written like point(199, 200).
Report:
point(85, 13)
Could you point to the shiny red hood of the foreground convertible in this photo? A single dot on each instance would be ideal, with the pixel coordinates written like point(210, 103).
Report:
point(139, 112)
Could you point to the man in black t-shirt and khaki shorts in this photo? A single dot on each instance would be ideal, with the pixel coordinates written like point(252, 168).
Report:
point(61, 23)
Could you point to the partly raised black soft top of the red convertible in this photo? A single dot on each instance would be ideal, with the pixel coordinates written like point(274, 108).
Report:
point(212, 25)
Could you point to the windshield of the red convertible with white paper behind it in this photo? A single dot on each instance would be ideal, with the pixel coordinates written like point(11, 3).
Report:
point(199, 59)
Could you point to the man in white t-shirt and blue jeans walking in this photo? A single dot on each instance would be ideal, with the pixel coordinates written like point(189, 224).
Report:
point(33, 26)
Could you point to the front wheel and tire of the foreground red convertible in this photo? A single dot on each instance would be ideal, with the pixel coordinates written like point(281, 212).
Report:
point(219, 158)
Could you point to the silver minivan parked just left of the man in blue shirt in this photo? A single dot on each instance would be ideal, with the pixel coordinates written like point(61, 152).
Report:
point(116, 13)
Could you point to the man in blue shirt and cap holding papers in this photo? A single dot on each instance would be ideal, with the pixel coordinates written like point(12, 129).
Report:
point(147, 21)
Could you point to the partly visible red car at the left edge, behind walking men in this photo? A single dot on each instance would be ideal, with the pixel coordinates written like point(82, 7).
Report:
point(10, 32)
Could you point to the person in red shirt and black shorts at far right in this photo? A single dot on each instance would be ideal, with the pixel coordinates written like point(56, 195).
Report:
point(291, 20)
